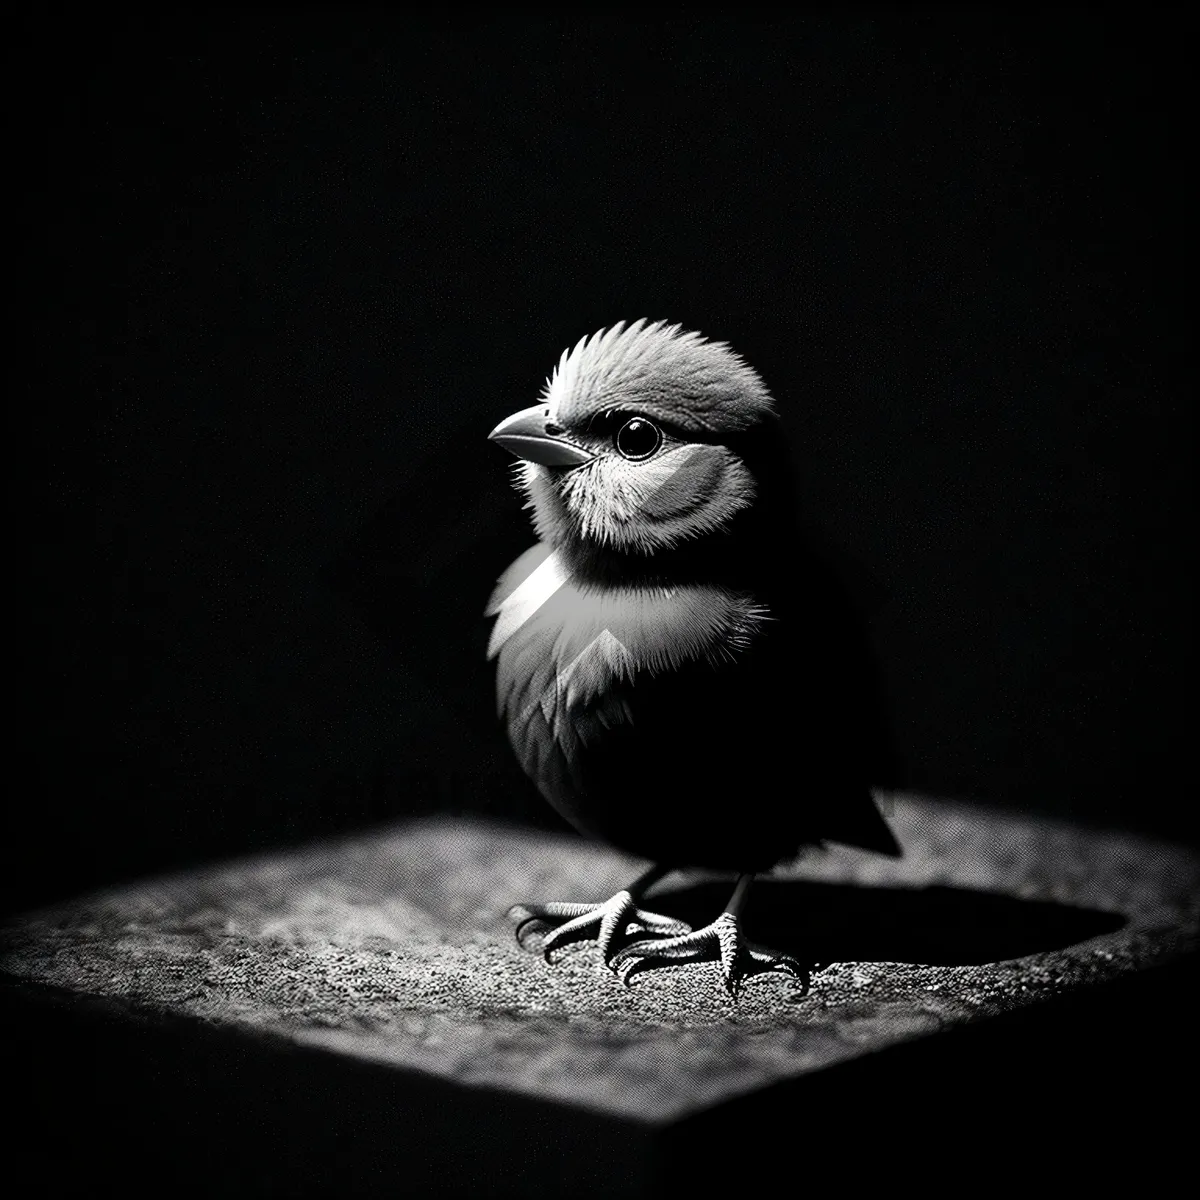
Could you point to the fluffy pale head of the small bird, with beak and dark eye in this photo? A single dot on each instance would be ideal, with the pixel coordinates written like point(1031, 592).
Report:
point(647, 440)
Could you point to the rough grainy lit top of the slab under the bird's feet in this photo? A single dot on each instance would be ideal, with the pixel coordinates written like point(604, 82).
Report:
point(394, 947)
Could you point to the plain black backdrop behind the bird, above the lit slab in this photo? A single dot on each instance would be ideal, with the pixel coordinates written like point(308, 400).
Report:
point(279, 277)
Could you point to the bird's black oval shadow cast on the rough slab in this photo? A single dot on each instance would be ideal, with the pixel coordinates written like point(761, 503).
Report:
point(932, 927)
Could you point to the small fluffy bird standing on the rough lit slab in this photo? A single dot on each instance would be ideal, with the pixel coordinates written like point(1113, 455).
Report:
point(679, 671)
